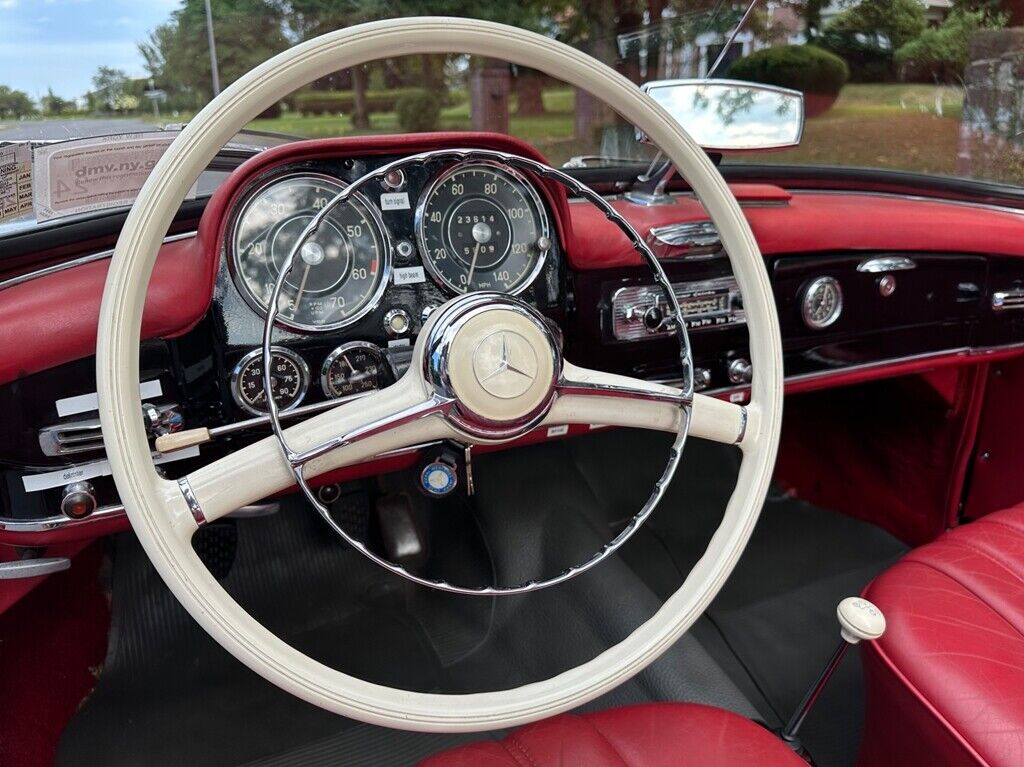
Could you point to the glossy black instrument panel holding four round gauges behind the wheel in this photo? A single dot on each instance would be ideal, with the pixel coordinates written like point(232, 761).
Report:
point(366, 280)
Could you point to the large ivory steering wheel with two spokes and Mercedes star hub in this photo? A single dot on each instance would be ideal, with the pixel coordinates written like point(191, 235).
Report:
point(442, 397)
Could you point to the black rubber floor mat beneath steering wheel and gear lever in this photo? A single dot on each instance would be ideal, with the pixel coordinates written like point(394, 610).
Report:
point(766, 637)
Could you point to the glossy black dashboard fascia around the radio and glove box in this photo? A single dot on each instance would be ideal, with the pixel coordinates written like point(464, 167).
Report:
point(926, 305)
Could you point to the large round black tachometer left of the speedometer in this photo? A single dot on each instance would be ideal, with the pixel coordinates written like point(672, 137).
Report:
point(340, 272)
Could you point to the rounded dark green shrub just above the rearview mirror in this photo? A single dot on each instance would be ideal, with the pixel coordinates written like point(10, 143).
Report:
point(803, 68)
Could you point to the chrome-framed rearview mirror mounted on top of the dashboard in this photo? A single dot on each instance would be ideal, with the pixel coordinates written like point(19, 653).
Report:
point(733, 116)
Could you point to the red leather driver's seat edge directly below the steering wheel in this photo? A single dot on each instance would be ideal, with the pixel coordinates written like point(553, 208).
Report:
point(652, 736)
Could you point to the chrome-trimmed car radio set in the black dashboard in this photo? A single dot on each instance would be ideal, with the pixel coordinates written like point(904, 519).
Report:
point(643, 312)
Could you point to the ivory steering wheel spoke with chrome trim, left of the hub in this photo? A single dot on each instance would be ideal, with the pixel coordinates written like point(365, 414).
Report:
point(396, 418)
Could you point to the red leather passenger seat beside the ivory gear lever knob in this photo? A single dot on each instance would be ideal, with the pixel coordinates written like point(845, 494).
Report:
point(946, 685)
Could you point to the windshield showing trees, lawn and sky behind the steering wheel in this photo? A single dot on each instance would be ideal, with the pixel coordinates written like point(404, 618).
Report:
point(929, 87)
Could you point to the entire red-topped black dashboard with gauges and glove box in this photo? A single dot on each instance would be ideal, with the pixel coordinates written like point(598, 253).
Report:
point(866, 286)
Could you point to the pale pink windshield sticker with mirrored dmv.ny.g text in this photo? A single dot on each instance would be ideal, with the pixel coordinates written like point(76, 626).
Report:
point(92, 175)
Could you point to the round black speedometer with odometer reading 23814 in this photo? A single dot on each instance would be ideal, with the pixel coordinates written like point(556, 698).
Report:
point(482, 227)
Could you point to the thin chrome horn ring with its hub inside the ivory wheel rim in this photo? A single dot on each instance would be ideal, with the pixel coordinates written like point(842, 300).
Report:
point(450, 396)
